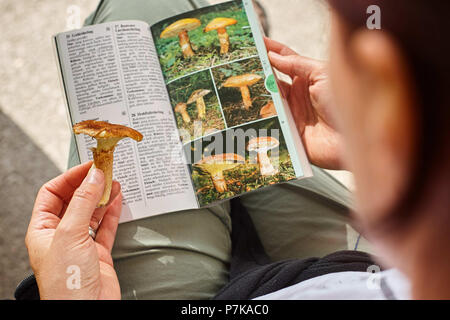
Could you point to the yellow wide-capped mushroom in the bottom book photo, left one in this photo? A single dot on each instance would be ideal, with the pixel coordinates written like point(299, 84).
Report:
point(216, 165)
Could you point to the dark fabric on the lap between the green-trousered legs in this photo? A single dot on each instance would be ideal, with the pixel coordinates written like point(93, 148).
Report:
point(252, 274)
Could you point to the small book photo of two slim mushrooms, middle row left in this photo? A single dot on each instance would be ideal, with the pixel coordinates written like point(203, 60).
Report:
point(196, 106)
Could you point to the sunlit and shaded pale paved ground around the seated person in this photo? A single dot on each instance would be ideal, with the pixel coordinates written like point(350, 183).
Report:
point(34, 134)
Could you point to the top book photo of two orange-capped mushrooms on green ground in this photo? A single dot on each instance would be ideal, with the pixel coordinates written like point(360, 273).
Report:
point(204, 38)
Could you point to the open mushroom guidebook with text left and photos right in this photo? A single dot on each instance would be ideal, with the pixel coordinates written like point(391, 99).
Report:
point(200, 88)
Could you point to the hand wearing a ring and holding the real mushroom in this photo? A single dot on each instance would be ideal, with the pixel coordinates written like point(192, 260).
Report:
point(67, 262)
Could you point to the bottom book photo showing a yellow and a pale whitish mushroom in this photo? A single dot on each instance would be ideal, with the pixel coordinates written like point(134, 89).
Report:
point(238, 160)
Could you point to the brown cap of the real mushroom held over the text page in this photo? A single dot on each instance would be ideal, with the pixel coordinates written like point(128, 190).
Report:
point(105, 130)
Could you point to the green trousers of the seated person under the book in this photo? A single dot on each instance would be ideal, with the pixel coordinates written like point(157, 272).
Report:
point(185, 255)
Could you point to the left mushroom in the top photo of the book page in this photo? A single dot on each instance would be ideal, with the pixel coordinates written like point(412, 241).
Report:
point(180, 28)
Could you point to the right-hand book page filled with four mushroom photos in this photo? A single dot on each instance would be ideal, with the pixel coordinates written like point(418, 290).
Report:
point(237, 134)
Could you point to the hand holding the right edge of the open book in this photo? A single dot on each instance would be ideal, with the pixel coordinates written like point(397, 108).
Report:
point(311, 104)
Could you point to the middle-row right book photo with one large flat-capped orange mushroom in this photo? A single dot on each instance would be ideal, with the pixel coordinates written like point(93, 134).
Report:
point(242, 92)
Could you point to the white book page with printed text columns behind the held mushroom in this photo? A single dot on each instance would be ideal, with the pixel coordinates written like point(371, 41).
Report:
point(111, 73)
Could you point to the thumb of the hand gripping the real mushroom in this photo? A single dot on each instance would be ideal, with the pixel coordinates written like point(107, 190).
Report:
point(84, 201)
